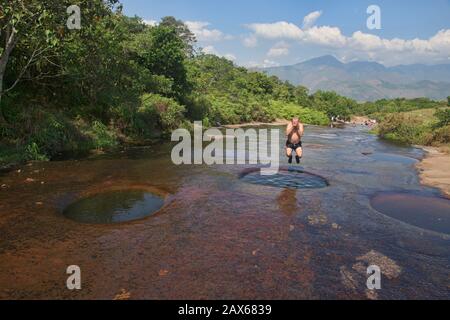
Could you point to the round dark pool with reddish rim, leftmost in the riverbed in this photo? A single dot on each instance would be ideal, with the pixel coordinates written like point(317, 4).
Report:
point(114, 207)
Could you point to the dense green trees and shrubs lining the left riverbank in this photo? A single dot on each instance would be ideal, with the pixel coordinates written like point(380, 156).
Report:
point(117, 80)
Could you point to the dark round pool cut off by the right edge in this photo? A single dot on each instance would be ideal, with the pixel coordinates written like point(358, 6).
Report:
point(426, 212)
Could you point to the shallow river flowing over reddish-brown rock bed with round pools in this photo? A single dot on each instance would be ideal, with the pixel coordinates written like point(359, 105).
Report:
point(223, 231)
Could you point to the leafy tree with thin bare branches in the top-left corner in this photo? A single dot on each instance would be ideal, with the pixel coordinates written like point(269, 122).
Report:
point(36, 28)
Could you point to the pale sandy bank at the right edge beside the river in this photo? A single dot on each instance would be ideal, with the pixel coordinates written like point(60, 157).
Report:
point(434, 169)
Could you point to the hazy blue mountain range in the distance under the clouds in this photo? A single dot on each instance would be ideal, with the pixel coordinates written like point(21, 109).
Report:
point(368, 81)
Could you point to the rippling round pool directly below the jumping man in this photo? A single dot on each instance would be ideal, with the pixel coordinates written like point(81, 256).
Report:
point(286, 179)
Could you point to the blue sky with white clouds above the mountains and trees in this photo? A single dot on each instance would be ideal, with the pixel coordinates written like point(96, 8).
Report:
point(269, 32)
